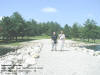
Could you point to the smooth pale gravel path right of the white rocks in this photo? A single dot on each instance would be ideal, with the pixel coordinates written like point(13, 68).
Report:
point(69, 62)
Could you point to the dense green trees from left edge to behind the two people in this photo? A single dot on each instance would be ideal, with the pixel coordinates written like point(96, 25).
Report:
point(14, 26)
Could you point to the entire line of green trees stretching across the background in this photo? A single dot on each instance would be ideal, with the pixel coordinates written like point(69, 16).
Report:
point(14, 26)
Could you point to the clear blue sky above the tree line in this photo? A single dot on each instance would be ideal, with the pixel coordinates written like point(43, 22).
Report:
point(61, 11)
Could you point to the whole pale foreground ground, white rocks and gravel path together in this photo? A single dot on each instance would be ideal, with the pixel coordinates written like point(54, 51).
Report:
point(73, 60)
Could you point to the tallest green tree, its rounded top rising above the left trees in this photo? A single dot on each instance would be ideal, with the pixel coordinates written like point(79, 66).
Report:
point(18, 25)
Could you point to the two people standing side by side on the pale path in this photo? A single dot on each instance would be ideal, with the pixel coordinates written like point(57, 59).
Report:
point(55, 38)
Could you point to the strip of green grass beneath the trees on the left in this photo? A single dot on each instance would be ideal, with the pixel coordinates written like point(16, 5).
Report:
point(25, 39)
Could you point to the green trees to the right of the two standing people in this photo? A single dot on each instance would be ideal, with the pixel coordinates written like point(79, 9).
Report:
point(89, 30)
